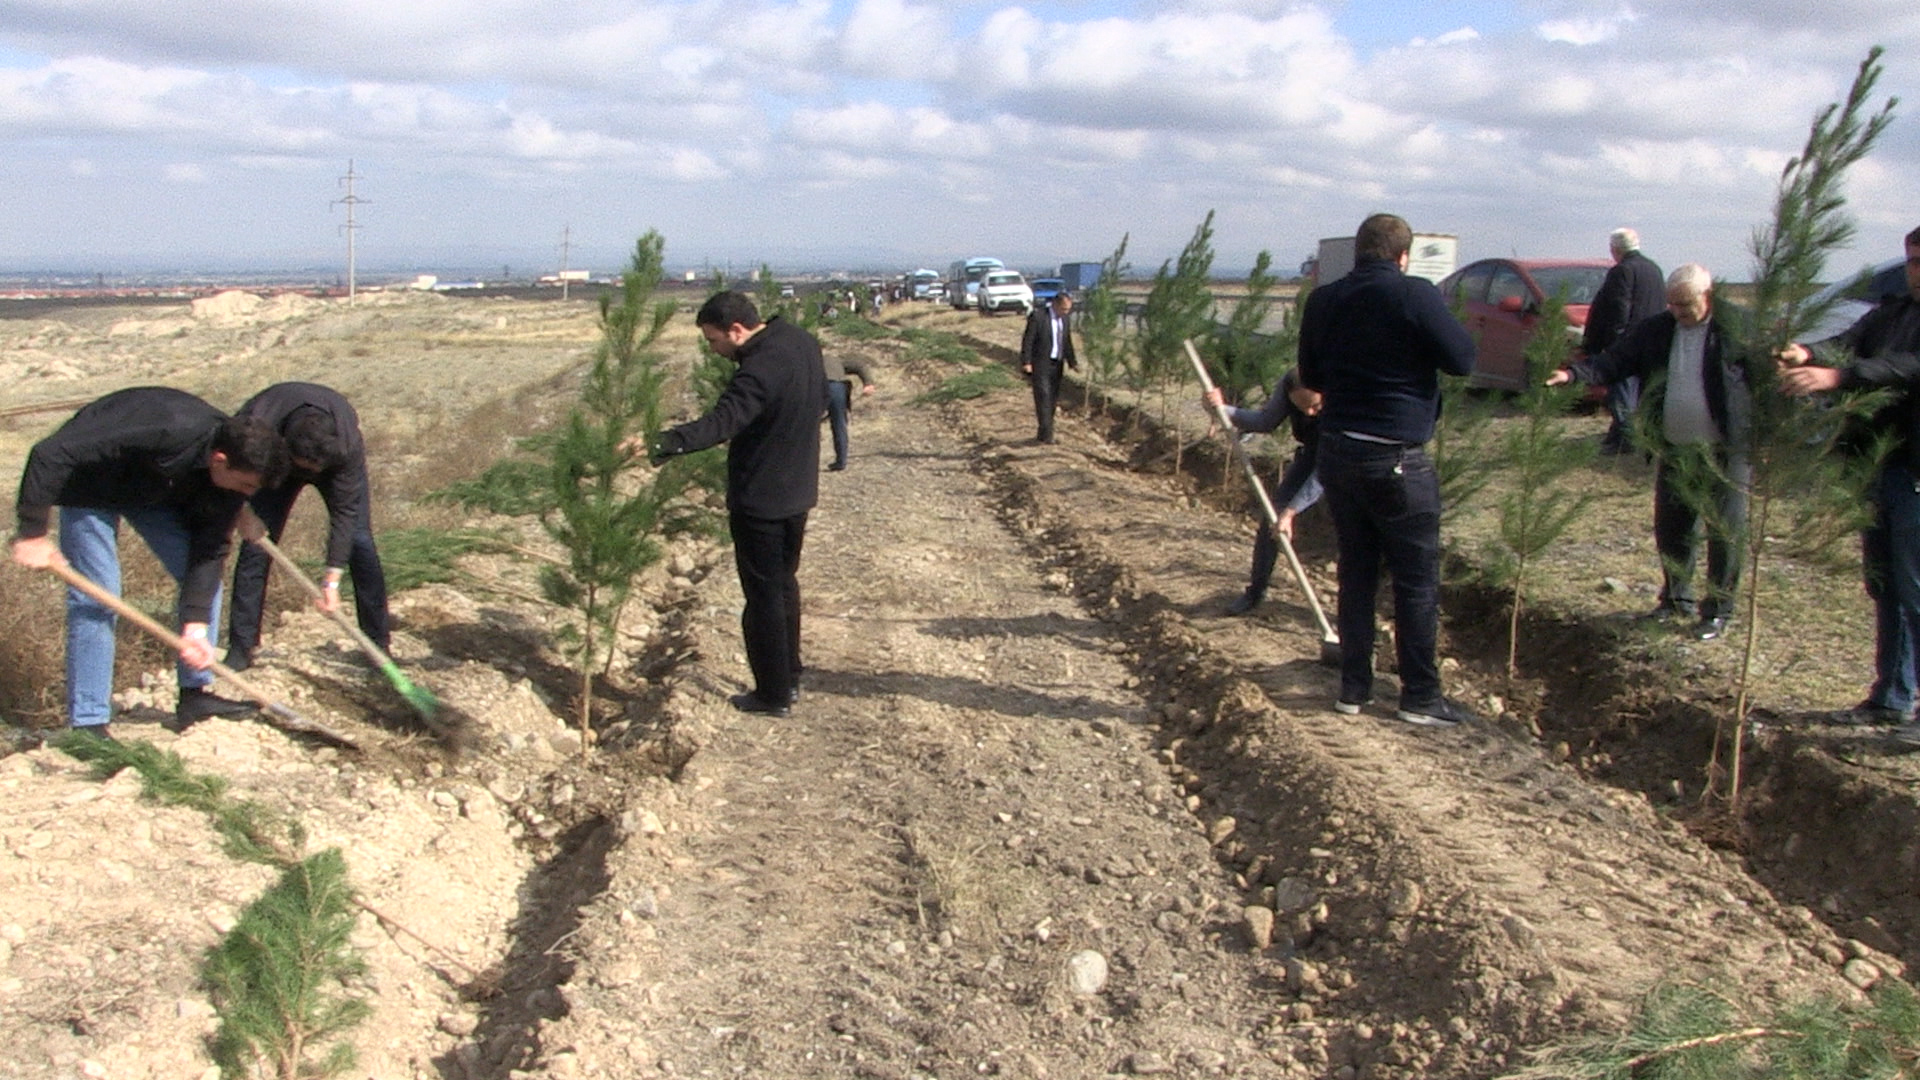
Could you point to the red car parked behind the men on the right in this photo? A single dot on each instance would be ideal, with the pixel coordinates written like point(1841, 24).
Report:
point(1500, 305)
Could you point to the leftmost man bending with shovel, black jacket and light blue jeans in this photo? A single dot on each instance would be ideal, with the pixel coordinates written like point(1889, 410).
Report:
point(176, 470)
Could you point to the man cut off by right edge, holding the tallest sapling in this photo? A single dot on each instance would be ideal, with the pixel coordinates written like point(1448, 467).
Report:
point(1883, 351)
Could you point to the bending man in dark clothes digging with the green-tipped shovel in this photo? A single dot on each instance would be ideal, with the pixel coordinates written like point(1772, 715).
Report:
point(327, 451)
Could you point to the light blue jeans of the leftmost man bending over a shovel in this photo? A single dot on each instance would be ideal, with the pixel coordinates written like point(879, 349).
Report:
point(89, 539)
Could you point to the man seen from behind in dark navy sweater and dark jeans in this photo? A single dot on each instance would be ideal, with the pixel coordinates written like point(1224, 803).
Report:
point(1374, 345)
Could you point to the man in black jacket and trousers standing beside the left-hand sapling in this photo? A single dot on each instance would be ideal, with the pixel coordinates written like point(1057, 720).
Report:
point(771, 418)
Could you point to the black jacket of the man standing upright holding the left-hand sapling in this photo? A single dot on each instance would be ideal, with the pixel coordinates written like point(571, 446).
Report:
point(771, 416)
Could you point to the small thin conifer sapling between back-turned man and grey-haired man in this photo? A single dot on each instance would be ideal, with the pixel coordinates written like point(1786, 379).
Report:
point(1537, 456)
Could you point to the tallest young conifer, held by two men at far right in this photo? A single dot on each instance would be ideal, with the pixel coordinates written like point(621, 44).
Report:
point(1804, 495)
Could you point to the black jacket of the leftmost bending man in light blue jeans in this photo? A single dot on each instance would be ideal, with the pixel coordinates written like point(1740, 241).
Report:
point(143, 449)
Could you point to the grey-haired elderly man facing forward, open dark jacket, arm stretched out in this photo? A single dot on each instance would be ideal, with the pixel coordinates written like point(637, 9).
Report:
point(1698, 412)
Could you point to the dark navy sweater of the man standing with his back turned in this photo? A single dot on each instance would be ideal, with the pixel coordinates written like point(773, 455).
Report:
point(1376, 343)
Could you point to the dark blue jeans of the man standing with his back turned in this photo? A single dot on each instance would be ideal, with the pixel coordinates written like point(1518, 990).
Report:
point(1385, 506)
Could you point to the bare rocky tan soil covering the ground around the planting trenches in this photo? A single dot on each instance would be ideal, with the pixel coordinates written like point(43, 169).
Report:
point(1042, 810)
